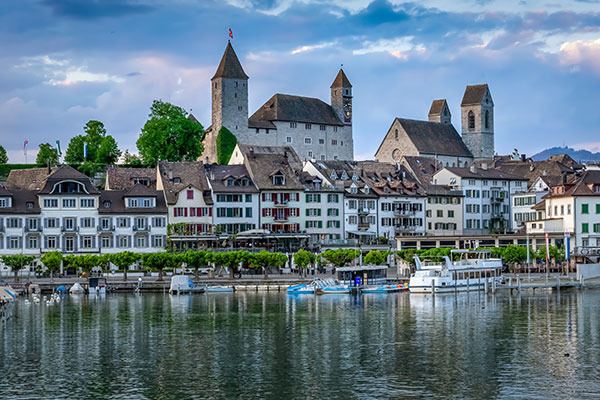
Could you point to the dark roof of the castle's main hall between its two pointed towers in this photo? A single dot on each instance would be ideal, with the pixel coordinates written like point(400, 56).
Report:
point(285, 107)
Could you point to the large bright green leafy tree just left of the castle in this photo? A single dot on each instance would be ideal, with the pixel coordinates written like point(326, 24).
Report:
point(169, 135)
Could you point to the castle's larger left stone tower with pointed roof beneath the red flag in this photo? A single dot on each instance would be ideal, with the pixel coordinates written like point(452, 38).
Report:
point(230, 95)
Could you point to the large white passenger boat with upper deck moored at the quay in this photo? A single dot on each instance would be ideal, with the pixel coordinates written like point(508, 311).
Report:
point(470, 272)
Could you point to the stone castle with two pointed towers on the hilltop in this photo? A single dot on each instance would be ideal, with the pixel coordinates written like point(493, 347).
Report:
point(312, 127)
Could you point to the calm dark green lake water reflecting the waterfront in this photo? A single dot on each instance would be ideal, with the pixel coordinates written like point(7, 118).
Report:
point(255, 345)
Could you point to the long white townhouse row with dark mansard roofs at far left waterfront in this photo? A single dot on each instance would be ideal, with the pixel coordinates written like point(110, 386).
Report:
point(45, 210)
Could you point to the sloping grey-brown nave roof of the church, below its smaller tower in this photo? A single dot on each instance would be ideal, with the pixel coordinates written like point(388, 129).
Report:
point(435, 138)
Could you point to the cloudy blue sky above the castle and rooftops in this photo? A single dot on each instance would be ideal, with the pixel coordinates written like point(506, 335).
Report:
point(65, 62)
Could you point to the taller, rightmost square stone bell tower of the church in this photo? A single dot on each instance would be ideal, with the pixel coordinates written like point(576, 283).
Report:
point(477, 119)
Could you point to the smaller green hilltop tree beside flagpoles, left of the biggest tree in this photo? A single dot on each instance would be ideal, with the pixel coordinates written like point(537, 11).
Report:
point(101, 149)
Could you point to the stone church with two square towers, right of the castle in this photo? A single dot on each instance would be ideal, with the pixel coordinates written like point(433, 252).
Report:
point(437, 138)
